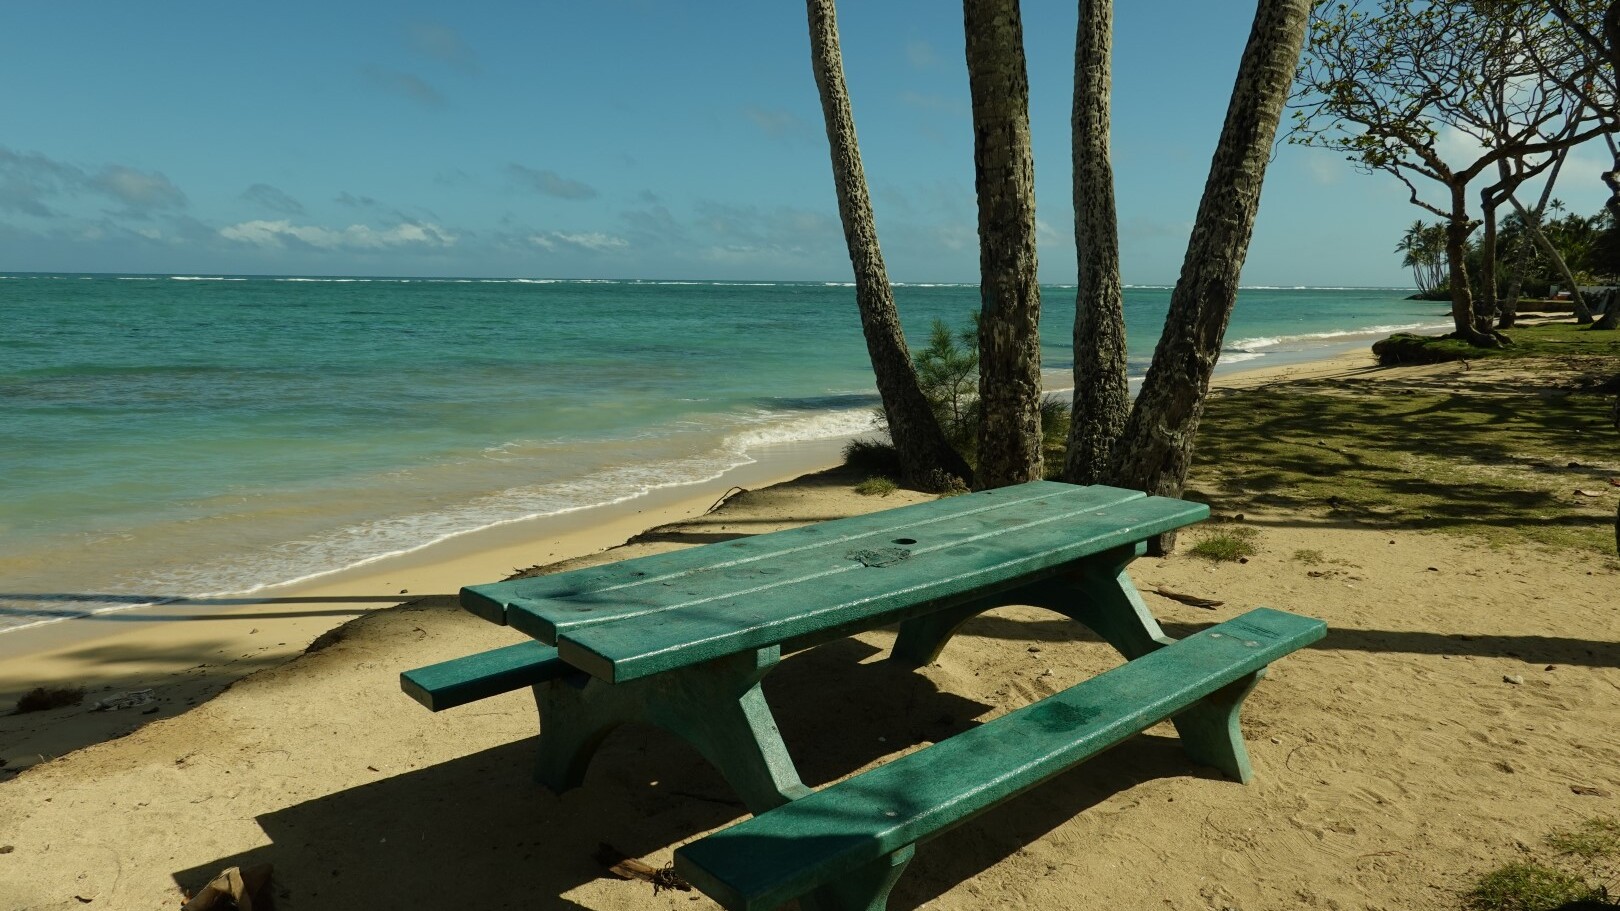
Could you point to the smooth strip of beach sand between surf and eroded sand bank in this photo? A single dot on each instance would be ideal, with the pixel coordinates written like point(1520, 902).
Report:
point(189, 651)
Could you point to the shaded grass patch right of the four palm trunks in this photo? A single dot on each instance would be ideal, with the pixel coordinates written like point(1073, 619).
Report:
point(1494, 450)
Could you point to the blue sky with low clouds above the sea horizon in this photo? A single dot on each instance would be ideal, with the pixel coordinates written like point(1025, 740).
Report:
point(615, 140)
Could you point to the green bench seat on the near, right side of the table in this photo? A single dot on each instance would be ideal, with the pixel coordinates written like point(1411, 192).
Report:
point(845, 829)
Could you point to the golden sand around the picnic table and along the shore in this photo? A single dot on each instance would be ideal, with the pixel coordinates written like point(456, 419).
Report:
point(1465, 703)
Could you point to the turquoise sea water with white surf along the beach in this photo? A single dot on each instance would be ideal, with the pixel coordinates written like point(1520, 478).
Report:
point(202, 435)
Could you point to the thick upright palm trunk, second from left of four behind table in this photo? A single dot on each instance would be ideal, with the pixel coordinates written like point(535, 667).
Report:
point(1005, 181)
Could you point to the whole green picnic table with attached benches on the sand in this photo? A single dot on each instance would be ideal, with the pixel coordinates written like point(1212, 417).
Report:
point(683, 641)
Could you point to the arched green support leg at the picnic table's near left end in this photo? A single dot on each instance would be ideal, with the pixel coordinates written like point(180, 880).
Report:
point(717, 708)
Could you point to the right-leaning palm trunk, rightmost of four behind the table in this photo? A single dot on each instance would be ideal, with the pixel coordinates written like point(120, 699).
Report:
point(1157, 447)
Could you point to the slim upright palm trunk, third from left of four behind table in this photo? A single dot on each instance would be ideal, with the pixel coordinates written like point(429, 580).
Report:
point(1102, 396)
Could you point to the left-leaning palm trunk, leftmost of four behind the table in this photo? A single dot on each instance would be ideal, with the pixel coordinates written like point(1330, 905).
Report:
point(927, 460)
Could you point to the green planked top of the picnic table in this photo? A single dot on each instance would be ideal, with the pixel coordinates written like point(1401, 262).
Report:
point(816, 583)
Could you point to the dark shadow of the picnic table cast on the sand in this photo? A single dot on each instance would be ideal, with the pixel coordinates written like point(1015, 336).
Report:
point(479, 832)
